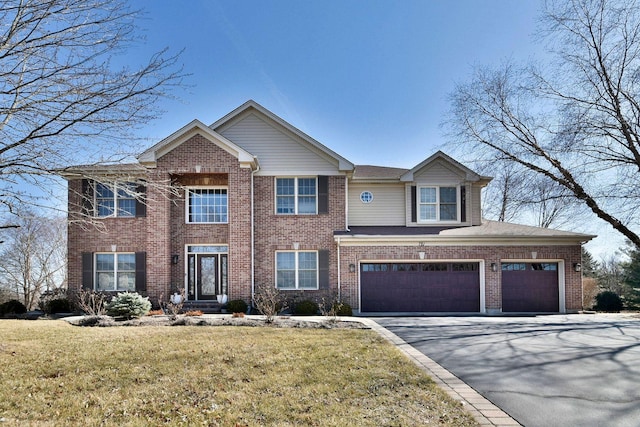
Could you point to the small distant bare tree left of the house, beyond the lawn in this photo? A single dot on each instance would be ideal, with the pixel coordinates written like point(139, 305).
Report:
point(33, 258)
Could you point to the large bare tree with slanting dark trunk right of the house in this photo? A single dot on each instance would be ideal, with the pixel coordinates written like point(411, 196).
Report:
point(575, 122)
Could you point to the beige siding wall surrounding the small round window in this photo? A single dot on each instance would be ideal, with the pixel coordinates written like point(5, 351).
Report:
point(386, 208)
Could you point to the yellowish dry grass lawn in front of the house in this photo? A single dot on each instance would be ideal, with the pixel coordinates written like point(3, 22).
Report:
point(57, 374)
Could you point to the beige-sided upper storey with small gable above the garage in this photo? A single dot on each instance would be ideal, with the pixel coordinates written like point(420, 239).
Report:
point(438, 192)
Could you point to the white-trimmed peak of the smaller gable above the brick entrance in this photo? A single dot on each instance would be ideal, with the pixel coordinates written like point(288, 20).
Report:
point(151, 155)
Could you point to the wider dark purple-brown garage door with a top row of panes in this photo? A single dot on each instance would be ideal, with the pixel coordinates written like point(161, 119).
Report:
point(420, 287)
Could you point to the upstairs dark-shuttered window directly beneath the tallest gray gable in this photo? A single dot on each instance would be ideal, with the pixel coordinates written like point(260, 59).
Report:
point(296, 196)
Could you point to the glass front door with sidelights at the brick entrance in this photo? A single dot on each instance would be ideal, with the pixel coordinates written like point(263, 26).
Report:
point(207, 276)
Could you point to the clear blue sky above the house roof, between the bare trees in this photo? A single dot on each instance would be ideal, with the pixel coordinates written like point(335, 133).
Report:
point(369, 79)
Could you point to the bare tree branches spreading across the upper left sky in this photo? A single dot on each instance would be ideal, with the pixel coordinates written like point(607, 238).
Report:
point(63, 98)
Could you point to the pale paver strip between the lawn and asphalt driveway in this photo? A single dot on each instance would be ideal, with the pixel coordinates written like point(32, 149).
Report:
point(485, 412)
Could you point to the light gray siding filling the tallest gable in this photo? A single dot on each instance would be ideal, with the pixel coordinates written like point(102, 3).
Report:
point(279, 151)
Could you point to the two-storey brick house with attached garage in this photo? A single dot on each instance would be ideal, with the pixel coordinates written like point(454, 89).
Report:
point(251, 201)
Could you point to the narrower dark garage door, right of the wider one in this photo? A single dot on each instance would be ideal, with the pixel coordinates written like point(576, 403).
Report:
point(530, 287)
